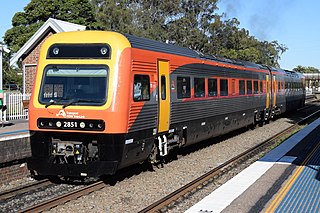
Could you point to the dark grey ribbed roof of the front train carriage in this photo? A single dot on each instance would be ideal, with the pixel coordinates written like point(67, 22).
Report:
point(148, 44)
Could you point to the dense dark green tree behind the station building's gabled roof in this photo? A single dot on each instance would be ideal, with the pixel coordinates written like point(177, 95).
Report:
point(26, 23)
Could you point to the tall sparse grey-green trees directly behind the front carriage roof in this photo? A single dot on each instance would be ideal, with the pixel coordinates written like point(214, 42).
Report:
point(182, 22)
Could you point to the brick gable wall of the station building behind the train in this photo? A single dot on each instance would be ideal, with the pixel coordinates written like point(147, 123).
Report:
point(33, 58)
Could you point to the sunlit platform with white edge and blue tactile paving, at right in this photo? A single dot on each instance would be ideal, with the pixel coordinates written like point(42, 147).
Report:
point(287, 179)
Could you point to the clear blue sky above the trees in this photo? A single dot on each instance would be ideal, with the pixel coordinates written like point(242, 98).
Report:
point(293, 23)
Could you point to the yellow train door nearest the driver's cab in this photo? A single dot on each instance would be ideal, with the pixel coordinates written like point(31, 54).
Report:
point(164, 96)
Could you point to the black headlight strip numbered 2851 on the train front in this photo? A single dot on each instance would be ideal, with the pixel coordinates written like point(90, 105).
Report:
point(72, 124)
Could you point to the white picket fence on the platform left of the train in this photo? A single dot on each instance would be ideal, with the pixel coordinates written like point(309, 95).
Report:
point(16, 106)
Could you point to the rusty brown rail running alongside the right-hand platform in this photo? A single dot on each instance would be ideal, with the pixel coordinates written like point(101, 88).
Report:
point(178, 195)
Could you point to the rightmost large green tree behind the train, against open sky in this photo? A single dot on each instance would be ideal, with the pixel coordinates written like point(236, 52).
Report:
point(229, 41)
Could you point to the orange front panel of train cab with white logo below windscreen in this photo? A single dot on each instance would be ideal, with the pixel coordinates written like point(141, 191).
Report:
point(115, 116)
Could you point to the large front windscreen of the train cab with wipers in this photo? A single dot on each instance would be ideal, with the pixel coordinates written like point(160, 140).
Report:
point(74, 85)
